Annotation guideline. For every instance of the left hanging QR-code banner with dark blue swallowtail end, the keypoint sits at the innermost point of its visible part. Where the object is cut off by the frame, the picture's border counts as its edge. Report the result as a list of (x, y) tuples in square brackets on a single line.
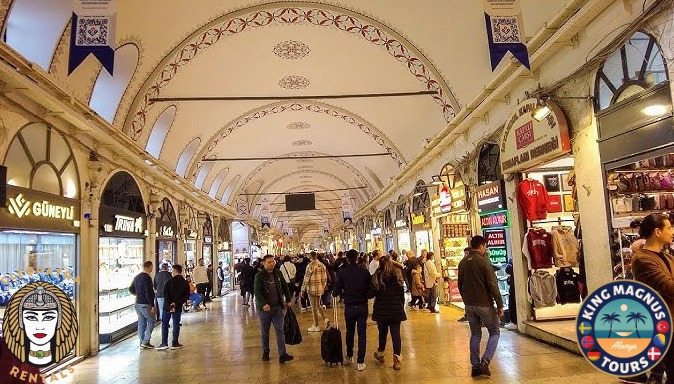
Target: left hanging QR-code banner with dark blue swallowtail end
[(93, 32)]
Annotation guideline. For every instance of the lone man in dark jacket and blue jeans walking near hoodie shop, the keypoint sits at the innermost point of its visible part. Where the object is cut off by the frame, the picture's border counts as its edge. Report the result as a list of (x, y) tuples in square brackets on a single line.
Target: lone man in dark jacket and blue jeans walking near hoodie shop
[(479, 290)]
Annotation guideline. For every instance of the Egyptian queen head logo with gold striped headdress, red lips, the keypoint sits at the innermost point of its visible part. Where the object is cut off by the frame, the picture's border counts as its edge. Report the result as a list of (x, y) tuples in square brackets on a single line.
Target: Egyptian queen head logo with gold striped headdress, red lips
[(44, 325)]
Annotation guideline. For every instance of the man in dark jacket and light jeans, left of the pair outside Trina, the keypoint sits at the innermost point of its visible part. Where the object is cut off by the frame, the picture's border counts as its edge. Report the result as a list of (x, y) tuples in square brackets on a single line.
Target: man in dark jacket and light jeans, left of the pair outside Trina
[(145, 309)]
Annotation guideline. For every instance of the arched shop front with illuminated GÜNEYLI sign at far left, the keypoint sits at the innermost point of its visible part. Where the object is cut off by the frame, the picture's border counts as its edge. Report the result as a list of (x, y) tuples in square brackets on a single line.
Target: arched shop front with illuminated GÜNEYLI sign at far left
[(40, 224)]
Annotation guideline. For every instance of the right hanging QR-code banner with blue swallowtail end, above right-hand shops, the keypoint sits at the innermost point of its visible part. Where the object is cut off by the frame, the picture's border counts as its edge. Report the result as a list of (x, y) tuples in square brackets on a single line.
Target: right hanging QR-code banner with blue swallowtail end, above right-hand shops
[(505, 31)]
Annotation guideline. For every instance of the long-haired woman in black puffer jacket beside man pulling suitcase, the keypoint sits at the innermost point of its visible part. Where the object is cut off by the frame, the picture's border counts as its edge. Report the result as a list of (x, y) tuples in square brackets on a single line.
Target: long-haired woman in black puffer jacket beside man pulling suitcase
[(389, 307)]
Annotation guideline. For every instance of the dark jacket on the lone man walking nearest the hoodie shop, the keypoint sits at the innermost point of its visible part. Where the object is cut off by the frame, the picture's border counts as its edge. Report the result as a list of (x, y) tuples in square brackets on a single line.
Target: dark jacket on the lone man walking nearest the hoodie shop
[(477, 281)]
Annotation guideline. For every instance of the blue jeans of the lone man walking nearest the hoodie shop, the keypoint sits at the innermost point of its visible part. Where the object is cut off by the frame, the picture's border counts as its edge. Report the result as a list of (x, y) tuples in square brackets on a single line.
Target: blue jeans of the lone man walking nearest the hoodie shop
[(478, 316)]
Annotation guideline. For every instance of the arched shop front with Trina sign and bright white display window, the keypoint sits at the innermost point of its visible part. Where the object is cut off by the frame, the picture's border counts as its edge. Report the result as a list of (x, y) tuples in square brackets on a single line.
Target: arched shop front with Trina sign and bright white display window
[(121, 246)]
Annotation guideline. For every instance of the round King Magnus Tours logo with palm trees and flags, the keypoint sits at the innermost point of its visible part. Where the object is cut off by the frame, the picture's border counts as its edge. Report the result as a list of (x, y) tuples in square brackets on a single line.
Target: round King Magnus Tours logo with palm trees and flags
[(624, 328)]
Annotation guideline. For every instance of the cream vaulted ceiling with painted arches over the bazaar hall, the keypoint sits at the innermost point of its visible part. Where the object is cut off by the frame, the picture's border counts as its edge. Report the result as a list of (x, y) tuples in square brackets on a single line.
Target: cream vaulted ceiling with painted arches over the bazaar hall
[(204, 48)]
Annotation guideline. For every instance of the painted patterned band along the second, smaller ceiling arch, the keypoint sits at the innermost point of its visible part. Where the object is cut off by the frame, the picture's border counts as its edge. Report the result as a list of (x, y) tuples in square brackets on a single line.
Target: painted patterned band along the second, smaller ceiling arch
[(310, 106)]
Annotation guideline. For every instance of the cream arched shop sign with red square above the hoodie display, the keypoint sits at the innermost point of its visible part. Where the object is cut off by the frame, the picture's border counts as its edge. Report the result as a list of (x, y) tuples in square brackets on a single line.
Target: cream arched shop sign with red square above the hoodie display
[(527, 143)]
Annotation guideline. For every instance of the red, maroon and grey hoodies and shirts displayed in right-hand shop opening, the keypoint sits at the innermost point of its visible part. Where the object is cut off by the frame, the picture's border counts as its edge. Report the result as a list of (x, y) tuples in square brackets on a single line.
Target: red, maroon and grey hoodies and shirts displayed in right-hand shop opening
[(551, 243)]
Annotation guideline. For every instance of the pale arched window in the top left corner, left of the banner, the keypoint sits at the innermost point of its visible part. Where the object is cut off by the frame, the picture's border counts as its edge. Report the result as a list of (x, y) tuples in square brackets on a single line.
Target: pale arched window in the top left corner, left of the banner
[(34, 28)]
